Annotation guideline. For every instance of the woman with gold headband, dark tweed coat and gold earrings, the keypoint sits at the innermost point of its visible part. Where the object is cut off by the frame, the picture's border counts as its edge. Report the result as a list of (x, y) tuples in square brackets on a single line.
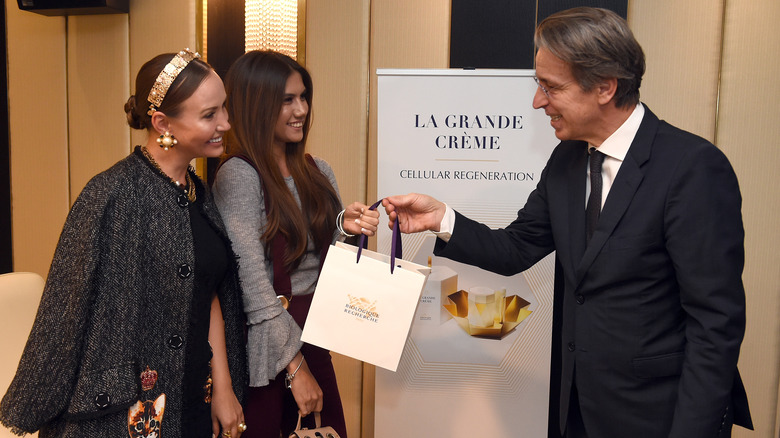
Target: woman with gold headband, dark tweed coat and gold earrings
[(140, 329)]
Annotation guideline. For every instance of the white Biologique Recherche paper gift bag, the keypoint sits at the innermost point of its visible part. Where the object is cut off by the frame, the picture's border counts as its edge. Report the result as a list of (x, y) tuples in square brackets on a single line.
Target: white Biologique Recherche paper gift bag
[(360, 308)]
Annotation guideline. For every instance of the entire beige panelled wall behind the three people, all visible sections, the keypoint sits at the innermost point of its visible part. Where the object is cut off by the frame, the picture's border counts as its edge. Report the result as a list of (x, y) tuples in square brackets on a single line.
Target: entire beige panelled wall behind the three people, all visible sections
[(711, 70)]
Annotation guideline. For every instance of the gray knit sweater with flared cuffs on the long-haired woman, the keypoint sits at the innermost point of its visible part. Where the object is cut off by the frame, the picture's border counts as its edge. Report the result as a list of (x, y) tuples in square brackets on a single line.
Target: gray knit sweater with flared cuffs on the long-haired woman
[(274, 337)]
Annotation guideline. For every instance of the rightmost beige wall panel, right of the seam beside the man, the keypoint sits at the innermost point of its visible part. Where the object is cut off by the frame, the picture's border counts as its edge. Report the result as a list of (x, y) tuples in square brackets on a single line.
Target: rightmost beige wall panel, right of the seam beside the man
[(748, 133)]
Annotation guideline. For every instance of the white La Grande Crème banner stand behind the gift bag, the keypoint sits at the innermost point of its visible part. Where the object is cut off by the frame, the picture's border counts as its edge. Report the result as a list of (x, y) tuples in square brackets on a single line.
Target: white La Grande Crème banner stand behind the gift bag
[(477, 361)]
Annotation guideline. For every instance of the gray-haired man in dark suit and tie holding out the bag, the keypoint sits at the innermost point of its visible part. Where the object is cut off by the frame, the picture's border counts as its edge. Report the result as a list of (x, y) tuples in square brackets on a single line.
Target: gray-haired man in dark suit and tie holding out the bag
[(645, 220)]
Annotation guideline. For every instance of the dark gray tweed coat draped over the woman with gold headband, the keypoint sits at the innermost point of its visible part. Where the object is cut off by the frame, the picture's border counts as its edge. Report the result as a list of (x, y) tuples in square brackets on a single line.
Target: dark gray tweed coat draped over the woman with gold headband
[(117, 299)]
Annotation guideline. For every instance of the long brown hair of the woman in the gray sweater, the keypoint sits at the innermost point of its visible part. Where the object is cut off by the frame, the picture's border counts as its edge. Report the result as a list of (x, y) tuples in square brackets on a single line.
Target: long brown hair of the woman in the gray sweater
[(255, 87)]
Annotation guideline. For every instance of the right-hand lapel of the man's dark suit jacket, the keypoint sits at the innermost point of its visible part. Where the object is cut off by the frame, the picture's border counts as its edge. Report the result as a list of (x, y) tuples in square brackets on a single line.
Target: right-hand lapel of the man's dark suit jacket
[(622, 192)]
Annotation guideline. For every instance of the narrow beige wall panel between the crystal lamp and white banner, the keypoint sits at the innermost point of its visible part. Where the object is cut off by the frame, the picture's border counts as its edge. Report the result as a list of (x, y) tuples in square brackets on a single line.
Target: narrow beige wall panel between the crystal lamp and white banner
[(337, 58)]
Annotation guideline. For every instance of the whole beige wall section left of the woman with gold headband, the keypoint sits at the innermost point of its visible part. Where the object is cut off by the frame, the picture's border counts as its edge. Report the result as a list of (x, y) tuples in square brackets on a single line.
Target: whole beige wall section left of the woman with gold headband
[(68, 79)]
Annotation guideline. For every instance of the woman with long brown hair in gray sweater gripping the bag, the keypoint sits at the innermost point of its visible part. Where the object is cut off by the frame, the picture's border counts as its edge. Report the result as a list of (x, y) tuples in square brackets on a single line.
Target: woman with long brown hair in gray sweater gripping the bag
[(282, 211)]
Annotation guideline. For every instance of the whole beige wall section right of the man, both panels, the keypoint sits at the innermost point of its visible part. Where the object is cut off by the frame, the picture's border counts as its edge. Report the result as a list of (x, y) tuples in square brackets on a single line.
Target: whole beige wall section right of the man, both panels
[(712, 70)]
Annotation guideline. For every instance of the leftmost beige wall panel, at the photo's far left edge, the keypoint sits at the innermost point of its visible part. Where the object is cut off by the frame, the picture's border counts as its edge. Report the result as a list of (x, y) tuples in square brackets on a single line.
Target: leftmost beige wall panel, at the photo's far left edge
[(37, 100)]
